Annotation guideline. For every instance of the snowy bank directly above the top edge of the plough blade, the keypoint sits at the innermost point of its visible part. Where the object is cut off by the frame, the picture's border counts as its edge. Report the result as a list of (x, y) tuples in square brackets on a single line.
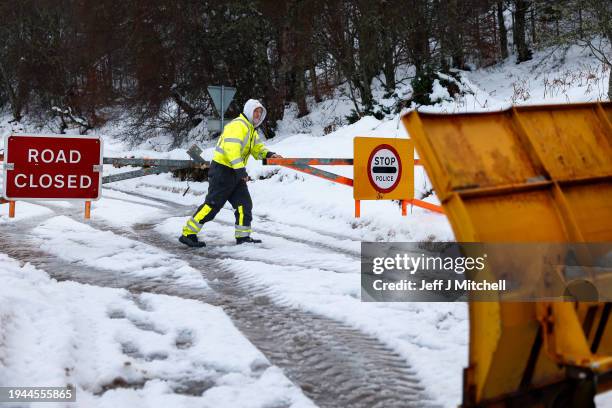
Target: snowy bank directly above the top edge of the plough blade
[(551, 77)]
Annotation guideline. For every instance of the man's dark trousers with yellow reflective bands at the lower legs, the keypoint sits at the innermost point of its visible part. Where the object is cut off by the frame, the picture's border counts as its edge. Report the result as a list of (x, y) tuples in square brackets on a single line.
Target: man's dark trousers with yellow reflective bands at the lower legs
[(223, 185)]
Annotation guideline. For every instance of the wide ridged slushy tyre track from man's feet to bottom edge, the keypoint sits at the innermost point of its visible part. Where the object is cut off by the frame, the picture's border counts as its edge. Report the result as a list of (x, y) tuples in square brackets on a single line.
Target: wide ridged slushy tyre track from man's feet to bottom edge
[(334, 364)]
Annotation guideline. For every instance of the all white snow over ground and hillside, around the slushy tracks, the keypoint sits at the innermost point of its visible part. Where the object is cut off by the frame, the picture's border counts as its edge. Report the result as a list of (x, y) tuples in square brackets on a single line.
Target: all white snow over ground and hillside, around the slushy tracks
[(122, 348)]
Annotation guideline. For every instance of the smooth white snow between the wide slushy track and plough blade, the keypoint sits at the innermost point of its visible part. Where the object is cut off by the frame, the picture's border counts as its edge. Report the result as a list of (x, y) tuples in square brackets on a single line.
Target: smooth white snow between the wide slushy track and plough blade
[(423, 333)]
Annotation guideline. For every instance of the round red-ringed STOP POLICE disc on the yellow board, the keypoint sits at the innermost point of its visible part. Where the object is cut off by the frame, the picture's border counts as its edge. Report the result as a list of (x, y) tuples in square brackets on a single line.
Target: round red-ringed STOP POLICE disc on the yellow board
[(384, 168)]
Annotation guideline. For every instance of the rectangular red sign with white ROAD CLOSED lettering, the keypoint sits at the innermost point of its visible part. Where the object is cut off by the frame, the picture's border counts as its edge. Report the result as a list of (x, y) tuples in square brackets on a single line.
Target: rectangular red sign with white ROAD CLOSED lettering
[(52, 167)]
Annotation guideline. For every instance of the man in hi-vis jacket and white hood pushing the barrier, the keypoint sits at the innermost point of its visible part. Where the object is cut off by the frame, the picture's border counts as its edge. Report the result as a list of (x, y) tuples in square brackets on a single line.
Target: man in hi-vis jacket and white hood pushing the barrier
[(227, 176)]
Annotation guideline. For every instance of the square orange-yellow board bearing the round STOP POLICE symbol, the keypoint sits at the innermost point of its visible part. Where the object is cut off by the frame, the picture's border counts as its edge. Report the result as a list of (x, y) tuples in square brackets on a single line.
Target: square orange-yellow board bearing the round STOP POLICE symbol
[(384, 169)]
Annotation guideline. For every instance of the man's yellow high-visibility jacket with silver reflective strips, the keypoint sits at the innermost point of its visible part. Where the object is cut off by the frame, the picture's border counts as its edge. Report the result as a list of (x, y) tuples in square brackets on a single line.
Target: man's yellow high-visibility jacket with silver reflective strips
[(239, 140)]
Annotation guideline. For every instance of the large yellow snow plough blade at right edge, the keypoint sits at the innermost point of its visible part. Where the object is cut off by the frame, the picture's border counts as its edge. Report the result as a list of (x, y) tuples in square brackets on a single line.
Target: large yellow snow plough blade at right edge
[(527, 174)]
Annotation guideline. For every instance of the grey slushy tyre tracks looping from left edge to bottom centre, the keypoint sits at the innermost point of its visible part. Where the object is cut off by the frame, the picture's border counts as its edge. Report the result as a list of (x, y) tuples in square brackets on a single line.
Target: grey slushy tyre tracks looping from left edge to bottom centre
[(333, 363)]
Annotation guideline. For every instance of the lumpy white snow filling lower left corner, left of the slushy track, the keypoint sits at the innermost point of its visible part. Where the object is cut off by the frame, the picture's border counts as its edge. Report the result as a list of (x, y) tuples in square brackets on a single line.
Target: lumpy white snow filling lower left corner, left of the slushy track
[(143, 350)]
